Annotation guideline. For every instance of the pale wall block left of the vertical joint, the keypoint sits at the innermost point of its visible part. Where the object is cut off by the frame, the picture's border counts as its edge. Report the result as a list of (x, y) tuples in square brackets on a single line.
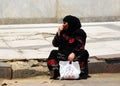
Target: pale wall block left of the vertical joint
[(27, 8)]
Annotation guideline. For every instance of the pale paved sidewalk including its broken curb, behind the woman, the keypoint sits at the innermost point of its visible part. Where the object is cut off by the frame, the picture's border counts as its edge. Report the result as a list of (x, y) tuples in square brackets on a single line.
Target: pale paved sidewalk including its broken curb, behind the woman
[(23, 45)]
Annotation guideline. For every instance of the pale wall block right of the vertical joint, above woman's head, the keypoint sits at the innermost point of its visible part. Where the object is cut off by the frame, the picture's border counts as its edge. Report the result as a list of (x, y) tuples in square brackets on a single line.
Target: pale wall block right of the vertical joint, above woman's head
[(89, 8)]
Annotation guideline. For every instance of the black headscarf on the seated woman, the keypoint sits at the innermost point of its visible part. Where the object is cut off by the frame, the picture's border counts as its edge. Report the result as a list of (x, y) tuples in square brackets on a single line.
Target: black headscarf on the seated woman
[(73, 23)]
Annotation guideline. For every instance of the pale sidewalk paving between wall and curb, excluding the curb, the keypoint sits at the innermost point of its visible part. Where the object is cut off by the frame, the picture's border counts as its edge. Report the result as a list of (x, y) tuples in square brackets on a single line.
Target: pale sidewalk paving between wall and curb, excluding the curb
[(33, 41)]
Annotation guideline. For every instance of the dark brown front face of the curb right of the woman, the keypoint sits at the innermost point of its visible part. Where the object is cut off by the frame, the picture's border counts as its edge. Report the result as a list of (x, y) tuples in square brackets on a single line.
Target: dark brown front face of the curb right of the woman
[(102, 67)]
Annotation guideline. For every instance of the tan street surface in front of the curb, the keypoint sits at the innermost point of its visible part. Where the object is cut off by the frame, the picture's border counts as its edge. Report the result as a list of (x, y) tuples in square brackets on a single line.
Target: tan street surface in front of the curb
[(94, 80)]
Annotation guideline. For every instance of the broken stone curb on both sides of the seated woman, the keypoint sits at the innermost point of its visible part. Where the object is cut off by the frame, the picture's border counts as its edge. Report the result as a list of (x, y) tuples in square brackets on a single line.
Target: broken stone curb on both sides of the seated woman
[(96, 64)]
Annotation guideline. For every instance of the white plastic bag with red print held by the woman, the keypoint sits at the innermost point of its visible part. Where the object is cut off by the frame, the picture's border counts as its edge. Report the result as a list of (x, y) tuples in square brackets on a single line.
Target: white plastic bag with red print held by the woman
[(69, 70)]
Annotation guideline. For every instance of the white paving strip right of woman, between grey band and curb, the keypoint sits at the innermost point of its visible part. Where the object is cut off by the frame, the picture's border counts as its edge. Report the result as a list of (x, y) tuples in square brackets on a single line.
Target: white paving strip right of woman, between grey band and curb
[(103, 48)]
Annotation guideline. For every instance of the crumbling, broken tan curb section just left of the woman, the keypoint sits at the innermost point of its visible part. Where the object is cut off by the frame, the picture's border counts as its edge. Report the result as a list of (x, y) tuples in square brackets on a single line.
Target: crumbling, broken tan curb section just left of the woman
[(28, 68)]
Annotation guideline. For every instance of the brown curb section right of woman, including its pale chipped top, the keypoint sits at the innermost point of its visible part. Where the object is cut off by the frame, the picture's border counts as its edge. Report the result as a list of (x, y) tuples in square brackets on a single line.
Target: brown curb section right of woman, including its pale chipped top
[(103, 66)]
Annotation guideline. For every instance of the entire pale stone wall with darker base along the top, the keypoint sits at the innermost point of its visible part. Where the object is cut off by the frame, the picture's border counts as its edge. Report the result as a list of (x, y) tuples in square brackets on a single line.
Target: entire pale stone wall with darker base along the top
[(52, 11)]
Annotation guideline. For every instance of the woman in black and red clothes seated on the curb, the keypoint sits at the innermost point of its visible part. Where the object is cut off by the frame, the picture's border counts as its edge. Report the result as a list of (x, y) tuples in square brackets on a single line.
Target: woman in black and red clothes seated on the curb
[(70, 40)]
